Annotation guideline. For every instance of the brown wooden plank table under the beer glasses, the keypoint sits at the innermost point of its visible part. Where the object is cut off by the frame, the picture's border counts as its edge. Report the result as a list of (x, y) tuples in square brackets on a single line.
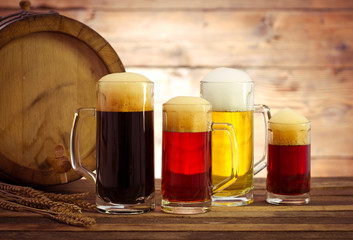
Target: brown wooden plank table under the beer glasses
[(328, 216)]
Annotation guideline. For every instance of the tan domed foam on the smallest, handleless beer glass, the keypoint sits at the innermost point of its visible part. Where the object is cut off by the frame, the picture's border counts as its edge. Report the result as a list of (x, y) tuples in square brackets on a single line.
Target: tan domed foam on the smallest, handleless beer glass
[(290, 128)]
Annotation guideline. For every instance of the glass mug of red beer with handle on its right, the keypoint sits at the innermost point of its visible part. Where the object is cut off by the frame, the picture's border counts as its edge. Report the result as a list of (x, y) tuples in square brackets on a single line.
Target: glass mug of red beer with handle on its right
[(186, 155)]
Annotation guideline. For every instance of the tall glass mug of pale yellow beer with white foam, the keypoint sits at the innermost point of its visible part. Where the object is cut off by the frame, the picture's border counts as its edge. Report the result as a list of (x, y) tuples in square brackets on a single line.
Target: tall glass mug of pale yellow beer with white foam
[(231, 93)]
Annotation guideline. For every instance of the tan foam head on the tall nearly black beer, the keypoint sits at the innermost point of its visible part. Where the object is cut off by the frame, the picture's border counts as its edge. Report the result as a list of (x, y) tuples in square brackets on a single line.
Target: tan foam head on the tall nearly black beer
[(125, 92)]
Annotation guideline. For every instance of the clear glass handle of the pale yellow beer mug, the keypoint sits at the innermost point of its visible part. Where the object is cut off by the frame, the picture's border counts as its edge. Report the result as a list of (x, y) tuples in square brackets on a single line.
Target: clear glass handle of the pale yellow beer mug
[(266, 115)]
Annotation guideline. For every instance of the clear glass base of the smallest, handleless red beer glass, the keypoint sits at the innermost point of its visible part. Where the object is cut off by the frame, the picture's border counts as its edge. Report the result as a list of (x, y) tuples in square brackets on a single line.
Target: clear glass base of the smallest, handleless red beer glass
[(278, 199)]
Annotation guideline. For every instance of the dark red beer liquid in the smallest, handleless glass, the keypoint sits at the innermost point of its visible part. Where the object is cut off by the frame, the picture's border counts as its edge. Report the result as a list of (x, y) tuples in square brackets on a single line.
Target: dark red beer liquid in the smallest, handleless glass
[(288, 170)]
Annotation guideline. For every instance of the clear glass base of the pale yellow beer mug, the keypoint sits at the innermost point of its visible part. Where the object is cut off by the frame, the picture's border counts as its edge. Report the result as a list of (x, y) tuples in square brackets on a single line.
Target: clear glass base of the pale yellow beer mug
[(231, 201)]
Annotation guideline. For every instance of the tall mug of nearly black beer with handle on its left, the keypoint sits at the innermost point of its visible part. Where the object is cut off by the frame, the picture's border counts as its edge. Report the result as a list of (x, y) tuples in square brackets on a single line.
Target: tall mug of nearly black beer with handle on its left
[(125, 144)]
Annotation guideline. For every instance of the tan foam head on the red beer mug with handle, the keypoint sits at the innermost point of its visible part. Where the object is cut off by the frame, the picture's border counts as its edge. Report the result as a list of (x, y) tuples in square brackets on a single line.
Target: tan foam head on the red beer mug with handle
[(187, 114)]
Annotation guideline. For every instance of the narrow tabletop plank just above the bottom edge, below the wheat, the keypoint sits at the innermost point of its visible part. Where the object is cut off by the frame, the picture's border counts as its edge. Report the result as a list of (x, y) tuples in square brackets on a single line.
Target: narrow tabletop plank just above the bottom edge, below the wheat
[(182, 227)]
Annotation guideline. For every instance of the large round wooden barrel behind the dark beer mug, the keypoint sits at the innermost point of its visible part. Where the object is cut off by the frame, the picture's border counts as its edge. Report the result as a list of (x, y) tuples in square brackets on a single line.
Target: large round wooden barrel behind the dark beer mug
[(49, 68)]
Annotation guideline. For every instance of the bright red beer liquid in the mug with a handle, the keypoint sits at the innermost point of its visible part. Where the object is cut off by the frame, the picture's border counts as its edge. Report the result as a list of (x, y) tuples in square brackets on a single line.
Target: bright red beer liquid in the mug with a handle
[(186, 176)]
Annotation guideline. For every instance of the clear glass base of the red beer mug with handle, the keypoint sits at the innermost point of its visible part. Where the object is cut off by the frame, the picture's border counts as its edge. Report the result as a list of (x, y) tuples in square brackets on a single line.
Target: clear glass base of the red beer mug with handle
[(185, 208)]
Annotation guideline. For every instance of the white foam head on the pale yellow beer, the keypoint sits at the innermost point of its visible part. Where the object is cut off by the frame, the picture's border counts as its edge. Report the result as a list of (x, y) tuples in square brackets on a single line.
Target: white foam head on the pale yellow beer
[(228, 89)]
